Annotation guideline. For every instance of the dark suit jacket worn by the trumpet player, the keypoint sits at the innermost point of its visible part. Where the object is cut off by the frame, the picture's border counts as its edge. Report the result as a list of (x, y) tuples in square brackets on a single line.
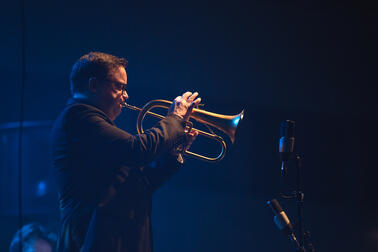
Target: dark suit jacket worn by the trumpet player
[(106, 179)]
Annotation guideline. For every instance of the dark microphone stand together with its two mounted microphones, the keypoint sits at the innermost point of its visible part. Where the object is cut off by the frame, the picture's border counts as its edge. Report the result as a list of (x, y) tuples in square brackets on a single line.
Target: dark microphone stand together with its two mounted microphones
[(286, 151)]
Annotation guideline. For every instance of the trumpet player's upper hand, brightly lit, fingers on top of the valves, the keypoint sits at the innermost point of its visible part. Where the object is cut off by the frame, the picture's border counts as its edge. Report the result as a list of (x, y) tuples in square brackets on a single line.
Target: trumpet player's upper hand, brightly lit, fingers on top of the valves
[(183, 105)]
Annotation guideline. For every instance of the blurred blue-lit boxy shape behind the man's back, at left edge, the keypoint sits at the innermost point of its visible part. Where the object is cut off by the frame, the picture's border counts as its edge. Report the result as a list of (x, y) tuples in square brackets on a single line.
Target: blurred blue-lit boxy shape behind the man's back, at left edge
[(39, 193)]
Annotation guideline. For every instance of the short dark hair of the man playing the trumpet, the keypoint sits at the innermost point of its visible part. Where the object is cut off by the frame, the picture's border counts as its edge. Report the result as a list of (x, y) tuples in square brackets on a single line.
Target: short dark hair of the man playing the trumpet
[(93, 64)]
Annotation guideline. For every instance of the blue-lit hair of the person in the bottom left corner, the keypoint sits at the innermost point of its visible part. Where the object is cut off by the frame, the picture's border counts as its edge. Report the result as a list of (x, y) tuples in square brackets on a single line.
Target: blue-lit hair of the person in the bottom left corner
[(31, 232)]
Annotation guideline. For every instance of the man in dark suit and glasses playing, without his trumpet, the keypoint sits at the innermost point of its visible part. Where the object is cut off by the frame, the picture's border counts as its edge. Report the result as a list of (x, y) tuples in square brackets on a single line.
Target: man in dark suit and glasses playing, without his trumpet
[(105, 176)]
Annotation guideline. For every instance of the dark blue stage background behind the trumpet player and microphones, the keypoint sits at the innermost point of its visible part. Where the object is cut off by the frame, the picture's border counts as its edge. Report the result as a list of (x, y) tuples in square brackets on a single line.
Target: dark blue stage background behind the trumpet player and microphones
[(309, 61)]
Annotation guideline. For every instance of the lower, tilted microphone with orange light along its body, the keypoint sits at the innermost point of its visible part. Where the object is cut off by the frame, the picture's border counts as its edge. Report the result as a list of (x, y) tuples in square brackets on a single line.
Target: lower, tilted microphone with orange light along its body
[(283, 222)]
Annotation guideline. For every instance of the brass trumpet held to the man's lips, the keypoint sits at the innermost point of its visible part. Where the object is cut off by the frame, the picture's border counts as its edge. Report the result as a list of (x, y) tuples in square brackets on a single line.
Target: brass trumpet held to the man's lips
[(225, 123)]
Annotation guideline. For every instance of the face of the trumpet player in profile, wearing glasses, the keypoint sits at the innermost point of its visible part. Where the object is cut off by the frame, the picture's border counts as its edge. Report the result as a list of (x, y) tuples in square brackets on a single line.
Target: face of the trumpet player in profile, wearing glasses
[(112, 93)]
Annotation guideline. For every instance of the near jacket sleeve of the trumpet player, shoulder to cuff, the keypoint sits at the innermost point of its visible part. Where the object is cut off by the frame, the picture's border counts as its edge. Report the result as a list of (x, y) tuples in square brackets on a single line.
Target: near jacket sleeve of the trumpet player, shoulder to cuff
[(92, 130)]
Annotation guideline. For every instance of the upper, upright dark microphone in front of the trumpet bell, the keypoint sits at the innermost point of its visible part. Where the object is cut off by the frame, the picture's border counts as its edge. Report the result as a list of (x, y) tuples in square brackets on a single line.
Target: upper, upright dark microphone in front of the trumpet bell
[(286, 146)]
